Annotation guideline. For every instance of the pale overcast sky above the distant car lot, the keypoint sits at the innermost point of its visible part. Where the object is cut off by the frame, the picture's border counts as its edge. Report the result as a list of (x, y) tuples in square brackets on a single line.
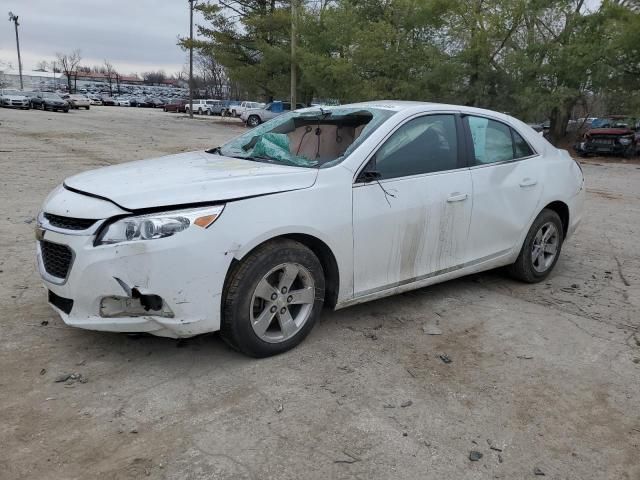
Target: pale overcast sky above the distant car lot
[(134, 35)]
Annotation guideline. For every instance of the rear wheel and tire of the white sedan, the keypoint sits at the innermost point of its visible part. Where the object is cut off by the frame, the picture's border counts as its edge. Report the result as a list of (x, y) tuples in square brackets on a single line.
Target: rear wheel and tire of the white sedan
[(532, 270)]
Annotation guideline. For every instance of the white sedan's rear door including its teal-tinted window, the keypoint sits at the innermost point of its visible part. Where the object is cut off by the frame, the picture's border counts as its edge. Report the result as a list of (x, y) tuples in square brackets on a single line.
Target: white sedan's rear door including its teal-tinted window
[(507, 188)]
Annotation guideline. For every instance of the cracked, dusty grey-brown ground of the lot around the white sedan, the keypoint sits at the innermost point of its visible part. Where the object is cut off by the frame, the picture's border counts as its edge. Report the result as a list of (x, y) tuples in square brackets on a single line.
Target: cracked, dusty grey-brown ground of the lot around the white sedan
[(542, 376)]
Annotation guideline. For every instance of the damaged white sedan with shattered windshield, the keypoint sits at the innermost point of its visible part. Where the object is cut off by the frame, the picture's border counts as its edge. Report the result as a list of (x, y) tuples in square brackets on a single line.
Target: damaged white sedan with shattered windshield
[(333, 206)]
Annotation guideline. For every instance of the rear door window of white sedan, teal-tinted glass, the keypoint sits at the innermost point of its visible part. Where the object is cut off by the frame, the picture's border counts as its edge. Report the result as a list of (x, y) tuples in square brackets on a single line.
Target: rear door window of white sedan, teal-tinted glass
[(491, 140)]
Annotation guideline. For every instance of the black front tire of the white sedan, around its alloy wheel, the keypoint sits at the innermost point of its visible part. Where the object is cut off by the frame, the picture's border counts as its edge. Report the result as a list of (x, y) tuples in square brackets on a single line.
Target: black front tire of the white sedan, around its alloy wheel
[(242, 302)]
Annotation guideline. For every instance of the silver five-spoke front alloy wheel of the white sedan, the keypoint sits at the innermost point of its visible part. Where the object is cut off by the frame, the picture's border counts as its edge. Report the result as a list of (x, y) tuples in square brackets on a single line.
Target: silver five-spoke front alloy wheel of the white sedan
[(282, 302)]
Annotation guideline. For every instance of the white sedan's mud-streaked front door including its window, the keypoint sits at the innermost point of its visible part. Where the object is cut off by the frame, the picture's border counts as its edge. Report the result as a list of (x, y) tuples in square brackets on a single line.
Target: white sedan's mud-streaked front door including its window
[(412, 206)]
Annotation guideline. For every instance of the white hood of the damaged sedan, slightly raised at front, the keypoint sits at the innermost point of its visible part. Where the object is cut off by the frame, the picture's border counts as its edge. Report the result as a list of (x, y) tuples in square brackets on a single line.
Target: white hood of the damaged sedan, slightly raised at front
[(188, 178)]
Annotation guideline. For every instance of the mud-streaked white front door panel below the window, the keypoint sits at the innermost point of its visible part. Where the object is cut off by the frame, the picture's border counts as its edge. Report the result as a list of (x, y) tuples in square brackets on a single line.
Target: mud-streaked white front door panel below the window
[(417, 228)]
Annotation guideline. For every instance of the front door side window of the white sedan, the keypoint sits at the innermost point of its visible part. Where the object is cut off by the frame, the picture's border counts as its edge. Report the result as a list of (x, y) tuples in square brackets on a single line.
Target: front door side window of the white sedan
[(422, 145)]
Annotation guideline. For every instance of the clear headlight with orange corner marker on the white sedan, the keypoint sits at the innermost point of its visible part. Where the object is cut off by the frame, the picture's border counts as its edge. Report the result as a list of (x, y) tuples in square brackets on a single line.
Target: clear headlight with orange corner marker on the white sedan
[(157, 225)]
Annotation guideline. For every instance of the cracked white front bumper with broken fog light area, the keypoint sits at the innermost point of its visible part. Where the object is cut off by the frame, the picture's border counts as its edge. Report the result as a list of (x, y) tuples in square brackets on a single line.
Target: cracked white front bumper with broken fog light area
[(183, 270)]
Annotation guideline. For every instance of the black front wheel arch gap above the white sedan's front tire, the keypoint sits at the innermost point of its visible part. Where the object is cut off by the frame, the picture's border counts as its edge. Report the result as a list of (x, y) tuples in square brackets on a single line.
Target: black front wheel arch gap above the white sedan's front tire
[(318, 247)]
